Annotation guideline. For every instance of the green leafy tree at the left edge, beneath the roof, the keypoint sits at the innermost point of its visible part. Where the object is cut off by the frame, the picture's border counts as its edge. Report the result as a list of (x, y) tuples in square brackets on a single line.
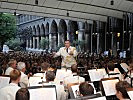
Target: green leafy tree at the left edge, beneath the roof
[(7, 27)]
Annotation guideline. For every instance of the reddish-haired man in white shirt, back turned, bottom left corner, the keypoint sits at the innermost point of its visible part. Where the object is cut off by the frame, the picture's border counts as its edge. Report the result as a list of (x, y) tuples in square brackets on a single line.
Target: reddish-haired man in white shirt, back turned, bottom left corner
[(9, 92)]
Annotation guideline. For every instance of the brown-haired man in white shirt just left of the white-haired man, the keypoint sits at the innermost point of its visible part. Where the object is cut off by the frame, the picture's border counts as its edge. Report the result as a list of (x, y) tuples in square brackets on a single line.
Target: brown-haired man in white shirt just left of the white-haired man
[(12, 65)]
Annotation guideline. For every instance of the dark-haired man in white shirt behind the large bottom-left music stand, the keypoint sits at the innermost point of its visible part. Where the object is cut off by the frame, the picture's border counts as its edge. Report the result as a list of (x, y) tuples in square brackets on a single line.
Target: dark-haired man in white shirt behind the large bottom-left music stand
[(61, 94)]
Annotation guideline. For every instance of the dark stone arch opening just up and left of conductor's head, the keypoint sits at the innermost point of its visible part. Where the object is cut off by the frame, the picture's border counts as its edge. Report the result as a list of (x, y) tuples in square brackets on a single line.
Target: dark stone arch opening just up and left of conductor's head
[(62, 32)]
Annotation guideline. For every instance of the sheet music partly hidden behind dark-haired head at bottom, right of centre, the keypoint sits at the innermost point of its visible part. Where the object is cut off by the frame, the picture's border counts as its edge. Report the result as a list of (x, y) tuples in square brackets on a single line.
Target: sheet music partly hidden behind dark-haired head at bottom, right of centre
[(75, 89)]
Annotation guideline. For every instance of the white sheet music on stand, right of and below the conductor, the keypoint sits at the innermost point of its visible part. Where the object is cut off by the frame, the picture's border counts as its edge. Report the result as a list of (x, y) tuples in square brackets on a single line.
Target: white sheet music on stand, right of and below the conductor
[(96, 75)]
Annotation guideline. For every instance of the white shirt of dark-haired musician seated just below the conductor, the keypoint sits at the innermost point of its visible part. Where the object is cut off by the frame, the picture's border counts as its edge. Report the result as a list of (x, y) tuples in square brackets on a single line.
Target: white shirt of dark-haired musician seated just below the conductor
[(74, 78)]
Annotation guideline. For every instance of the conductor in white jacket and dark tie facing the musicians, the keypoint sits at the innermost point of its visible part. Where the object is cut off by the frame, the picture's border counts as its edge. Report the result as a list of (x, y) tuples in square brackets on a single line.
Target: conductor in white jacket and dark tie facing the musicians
[(68, 54)]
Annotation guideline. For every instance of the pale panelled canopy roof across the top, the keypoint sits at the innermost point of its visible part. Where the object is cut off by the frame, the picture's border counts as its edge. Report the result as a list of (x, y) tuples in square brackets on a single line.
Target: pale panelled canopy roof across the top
[(79, 10)]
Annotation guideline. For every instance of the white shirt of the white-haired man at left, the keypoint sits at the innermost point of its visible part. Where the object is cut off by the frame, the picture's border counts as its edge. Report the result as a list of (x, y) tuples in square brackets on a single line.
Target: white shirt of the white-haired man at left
[(24, 80)]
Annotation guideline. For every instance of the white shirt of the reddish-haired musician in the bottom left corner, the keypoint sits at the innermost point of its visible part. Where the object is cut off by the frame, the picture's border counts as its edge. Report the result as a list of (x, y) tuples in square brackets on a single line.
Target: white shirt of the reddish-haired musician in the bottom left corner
[(9, 92)]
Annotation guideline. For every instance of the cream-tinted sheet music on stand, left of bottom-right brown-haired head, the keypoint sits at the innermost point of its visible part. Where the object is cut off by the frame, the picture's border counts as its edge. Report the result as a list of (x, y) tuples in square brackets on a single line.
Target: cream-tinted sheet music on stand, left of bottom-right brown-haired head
[(109, 87)]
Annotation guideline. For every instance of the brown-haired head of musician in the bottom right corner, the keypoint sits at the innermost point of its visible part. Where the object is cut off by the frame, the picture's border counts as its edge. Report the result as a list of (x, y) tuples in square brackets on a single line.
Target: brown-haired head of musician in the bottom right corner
[(121, 92)]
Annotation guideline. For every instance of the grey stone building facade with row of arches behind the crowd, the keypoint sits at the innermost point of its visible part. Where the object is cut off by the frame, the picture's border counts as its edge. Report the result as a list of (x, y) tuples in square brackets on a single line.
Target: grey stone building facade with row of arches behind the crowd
[(92, 36)]
